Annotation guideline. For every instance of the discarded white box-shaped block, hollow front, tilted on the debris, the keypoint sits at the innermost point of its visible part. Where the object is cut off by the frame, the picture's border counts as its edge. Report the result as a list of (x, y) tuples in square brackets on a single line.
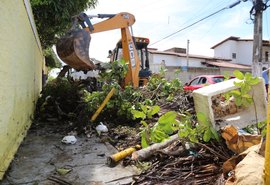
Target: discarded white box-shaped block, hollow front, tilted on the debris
[(255, 112)]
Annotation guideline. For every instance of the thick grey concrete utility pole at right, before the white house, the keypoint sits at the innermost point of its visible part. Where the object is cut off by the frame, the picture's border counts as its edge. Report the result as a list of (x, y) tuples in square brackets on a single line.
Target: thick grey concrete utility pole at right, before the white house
[(257, 38)]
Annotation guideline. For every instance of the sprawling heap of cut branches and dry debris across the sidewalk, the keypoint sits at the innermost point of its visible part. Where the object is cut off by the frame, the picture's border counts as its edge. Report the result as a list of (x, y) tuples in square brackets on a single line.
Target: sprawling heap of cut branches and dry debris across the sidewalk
[(178, 161)]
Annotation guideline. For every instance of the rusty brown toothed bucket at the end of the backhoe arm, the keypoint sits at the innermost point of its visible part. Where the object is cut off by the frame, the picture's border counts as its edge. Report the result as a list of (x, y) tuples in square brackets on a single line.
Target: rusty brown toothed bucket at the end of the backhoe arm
[(73, 49)]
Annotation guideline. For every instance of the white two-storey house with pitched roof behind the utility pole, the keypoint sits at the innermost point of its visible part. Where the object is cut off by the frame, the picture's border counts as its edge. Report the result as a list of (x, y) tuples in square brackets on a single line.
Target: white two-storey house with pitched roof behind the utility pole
[(240, 51)]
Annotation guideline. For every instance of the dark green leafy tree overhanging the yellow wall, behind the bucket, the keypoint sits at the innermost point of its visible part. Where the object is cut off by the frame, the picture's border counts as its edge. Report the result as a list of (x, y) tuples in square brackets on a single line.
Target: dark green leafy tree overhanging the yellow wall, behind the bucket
[(53, 19)]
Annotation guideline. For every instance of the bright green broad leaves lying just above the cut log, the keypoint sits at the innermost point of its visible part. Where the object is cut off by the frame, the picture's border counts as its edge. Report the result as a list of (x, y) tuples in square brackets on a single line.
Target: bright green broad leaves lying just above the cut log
[(167, 124)]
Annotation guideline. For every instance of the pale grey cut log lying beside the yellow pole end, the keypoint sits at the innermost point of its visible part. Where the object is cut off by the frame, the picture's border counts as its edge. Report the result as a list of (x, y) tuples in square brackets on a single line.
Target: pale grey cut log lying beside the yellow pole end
[(147, 152)]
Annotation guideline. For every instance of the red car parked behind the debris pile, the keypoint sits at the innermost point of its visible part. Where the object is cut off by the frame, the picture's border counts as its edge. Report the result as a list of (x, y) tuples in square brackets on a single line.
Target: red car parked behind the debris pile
[(203, 80)]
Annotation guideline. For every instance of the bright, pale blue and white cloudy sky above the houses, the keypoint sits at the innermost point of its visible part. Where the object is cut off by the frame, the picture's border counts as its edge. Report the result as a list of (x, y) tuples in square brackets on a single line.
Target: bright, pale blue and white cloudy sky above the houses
[(157, 19)]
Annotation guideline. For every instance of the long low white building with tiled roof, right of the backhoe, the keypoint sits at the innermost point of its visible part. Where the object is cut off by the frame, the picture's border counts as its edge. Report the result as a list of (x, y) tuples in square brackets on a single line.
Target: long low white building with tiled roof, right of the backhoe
[(190, 65)]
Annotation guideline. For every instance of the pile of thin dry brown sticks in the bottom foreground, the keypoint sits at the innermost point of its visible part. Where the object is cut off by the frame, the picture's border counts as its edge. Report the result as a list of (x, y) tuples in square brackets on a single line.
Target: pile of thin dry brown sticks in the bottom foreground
[(200, 164)]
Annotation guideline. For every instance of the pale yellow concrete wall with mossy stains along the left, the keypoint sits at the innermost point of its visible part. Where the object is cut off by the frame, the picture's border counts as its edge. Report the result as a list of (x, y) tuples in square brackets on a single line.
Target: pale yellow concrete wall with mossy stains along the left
[(20, 73)]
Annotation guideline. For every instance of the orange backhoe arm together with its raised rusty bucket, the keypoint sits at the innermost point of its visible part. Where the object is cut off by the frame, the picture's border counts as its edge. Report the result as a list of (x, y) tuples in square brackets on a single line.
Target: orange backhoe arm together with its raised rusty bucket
[(73, 48)]
